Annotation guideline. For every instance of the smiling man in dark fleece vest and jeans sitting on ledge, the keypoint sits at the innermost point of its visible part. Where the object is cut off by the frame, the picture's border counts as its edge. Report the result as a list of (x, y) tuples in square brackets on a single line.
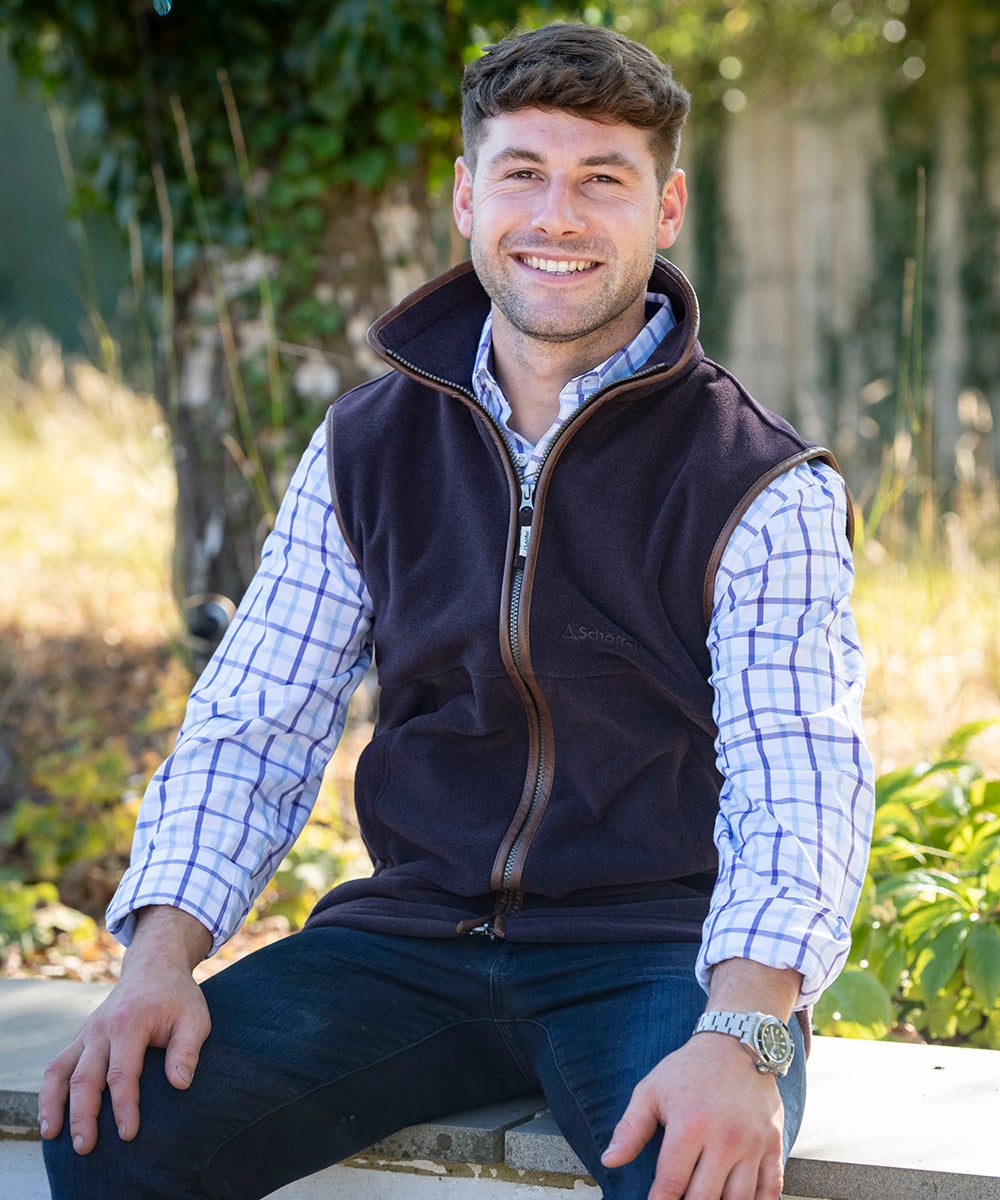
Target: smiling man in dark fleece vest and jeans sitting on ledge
[(609, 596)]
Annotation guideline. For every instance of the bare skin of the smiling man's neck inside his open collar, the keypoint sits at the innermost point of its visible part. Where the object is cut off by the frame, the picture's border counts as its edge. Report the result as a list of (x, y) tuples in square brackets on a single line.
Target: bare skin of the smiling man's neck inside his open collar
[(532, 373)]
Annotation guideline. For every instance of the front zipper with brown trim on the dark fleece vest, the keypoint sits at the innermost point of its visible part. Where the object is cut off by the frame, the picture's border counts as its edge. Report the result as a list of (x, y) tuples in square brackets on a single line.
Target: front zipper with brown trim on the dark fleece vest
[(510, 901)]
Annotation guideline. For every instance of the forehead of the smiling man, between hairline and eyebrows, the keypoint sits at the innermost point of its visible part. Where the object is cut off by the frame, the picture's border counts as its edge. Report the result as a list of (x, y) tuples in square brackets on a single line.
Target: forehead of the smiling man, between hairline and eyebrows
[(560, 137)]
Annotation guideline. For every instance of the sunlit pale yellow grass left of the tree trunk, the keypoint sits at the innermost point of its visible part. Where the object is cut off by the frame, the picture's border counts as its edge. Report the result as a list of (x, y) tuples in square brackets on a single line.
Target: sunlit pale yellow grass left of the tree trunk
[(87, 495)]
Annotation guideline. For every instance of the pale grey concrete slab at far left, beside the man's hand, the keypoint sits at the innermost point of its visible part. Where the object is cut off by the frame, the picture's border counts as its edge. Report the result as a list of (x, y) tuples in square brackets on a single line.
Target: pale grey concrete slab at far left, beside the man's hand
[(40, 1018)]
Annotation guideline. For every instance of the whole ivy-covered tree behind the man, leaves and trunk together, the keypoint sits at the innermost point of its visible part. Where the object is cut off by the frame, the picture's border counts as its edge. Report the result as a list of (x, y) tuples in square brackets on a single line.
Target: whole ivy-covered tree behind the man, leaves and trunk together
[(225, 135)]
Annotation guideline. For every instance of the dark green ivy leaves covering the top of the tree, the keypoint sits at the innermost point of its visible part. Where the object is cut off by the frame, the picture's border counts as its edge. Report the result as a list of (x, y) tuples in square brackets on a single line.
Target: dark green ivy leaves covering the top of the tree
[(331, 98)]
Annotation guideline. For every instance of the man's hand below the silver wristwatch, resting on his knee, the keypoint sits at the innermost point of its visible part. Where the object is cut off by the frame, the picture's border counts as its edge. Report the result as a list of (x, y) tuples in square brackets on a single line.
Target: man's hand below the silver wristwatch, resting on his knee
[(722, 1124)]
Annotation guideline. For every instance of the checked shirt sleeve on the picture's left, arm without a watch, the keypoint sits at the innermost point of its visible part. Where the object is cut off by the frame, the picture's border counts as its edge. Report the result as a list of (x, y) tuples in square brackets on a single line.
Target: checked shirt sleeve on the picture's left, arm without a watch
[(261, 724)]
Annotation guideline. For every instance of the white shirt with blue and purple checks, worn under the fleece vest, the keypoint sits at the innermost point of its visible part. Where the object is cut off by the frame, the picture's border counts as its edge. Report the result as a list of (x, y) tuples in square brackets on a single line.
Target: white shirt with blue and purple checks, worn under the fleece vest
[(798, 802)]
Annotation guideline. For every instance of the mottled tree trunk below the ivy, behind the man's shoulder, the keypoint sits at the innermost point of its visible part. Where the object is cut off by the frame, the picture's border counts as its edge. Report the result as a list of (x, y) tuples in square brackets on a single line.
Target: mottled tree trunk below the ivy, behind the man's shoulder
[(374, 250)]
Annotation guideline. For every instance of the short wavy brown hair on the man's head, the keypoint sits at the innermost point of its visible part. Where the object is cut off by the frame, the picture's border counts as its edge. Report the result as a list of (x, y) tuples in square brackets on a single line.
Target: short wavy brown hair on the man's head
[(585, 70)]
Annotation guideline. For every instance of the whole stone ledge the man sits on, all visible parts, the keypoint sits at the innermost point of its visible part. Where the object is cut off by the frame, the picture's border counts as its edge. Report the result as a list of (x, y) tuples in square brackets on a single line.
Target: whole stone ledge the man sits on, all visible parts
[(884, 1121)]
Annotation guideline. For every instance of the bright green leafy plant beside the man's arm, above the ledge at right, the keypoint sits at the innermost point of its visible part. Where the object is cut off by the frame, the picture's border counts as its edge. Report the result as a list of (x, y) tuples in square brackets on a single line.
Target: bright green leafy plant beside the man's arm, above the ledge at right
[(927, 933)]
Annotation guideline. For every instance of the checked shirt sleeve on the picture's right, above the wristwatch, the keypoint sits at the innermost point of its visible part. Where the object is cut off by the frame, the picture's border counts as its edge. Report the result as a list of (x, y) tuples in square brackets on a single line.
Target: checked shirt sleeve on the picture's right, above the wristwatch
[(798, 800)]
